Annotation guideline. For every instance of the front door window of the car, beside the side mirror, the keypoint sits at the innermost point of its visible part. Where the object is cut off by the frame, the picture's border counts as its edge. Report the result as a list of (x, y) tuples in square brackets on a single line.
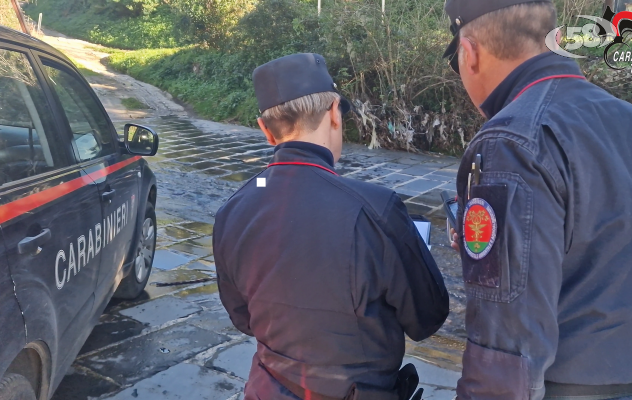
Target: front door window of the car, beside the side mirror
[(92, 137)]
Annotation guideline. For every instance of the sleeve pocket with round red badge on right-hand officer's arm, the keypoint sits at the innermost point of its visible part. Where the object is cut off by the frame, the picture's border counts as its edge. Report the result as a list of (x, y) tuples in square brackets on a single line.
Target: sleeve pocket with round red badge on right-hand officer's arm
[(496, 227)]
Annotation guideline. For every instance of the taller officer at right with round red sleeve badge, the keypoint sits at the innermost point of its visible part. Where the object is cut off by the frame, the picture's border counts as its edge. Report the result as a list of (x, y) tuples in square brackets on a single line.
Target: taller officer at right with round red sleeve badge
[(545, 214)]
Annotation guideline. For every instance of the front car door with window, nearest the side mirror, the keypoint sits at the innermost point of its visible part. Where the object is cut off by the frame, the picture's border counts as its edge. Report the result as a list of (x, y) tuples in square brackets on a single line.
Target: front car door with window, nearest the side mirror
[(97, 150)]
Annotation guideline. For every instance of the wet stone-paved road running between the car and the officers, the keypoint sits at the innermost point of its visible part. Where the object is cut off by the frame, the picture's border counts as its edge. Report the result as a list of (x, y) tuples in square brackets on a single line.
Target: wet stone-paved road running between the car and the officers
[(176, 341)]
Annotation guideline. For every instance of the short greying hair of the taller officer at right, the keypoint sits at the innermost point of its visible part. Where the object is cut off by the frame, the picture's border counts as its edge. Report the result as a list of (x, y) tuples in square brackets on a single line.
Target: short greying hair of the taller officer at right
[(511, 32)]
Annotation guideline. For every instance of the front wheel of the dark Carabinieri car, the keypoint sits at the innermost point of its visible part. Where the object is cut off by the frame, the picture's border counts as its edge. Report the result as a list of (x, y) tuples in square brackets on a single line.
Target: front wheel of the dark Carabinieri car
[(143, 257)]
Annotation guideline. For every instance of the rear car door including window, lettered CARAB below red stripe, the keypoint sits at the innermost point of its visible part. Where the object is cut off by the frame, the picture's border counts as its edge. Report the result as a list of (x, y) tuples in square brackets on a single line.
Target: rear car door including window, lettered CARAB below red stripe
[(50, 213)]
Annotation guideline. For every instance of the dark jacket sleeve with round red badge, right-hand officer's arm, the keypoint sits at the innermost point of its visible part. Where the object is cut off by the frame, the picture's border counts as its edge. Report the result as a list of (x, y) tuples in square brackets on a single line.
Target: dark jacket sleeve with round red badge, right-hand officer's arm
[(513, 280)]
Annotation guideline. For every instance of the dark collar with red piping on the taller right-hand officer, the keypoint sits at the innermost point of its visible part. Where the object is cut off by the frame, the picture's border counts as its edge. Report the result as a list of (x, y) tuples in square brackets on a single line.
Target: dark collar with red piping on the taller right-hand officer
[(540, 66)]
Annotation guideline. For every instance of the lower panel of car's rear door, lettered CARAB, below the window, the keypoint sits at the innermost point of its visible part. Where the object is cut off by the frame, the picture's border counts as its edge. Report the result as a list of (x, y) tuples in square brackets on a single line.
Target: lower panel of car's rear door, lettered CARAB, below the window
[(55, 288)]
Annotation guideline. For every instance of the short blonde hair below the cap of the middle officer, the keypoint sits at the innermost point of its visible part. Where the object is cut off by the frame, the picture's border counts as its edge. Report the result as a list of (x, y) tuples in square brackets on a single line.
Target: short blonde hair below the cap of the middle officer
[(304, 113)]
